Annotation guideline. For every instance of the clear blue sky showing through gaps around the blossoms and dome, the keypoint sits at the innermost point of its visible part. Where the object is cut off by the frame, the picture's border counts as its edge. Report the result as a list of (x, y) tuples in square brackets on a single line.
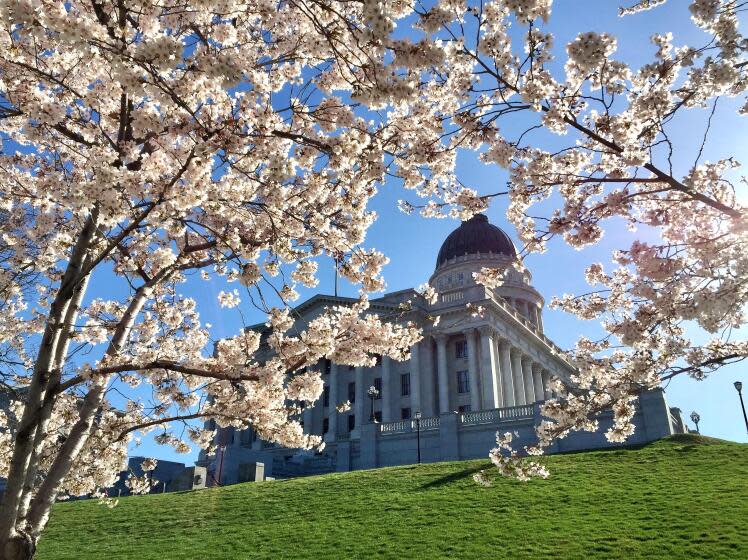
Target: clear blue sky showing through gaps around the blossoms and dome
[(412, 242)]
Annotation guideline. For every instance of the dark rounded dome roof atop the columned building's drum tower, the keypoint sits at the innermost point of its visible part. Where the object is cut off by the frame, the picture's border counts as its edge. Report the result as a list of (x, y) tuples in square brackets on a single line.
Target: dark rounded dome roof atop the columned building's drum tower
[(475, 236)]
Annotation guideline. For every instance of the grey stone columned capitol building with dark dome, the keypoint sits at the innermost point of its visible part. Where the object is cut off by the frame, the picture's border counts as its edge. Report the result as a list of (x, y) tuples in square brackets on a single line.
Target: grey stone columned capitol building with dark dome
[(469, 377)]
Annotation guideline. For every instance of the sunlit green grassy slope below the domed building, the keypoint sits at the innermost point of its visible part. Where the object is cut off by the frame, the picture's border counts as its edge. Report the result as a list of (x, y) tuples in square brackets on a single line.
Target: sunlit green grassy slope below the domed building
[(684, 497)]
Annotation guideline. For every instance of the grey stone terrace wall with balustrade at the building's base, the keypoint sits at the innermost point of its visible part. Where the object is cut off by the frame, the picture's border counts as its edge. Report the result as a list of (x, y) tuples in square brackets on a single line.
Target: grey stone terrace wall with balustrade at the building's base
[(448, 437)]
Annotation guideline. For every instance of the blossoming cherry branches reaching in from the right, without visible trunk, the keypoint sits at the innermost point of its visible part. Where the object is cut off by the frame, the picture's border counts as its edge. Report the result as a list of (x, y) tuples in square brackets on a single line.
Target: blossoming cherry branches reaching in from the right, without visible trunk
[(596, 143)]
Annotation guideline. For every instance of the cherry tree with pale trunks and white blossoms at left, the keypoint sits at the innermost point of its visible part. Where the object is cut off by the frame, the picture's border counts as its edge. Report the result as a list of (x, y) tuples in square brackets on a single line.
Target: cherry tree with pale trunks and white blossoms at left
[(149, 143)]
